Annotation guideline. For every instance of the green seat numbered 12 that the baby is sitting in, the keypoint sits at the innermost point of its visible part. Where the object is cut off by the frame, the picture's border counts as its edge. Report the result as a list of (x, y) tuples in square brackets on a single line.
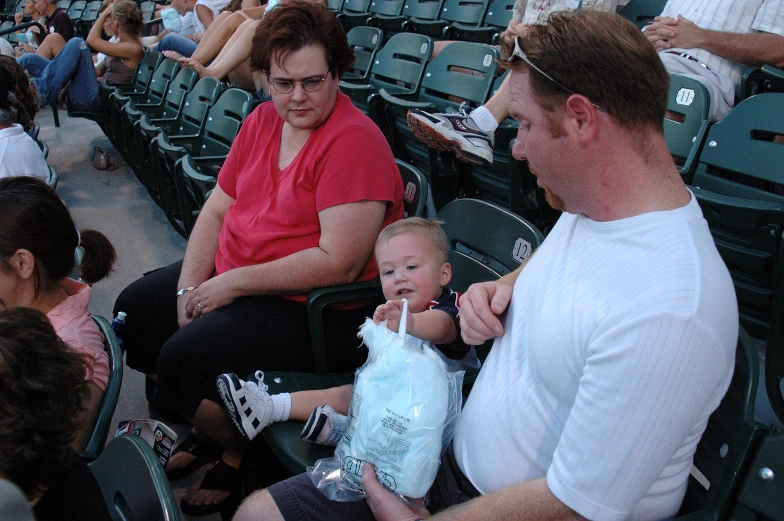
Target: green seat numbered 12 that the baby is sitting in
[(471, 249)]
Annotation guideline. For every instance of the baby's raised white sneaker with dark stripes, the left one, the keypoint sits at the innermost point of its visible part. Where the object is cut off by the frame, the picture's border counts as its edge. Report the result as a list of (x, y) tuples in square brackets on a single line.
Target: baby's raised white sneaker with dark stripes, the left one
[(248, 403)]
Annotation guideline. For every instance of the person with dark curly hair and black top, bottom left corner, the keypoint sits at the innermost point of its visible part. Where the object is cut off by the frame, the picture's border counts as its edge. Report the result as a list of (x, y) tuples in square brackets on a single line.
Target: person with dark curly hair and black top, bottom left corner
[(42, 396)]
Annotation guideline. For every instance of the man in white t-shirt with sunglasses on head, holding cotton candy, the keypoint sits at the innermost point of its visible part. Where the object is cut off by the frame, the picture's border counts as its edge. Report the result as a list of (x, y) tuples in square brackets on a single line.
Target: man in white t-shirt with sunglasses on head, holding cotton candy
[(615, 341)]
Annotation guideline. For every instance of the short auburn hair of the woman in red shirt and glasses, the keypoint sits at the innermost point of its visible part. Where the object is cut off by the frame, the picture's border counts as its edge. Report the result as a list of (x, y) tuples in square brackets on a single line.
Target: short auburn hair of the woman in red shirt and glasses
[(295, 25)]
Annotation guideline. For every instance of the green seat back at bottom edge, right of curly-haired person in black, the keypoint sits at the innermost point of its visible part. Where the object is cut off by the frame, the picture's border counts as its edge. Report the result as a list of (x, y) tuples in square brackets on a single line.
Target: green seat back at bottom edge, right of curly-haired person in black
[(133, 482)]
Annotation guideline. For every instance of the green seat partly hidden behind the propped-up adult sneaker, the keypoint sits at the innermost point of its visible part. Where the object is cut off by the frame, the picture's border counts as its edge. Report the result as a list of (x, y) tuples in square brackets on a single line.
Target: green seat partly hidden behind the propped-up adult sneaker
[(442, 84)]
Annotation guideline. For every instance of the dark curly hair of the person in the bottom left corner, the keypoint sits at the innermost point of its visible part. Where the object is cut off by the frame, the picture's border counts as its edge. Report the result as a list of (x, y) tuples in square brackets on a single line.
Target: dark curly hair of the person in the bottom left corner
[(42, 394)]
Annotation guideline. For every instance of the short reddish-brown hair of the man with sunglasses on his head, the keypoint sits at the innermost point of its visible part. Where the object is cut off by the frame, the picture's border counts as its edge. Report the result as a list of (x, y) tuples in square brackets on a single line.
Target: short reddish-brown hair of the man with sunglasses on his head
[(602, 56)]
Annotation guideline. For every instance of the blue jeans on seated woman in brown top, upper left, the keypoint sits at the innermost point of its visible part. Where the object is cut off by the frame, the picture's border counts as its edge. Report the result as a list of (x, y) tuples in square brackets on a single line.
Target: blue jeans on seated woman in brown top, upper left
[(74, 64)]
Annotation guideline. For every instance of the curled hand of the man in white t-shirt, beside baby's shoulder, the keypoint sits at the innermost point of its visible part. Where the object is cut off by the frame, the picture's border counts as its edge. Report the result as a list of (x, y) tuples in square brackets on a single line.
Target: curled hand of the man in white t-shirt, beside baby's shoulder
[(479, 310)]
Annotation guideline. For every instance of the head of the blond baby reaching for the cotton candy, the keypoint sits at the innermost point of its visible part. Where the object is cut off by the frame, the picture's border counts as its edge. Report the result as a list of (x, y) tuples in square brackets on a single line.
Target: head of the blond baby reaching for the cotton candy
[(412, 260)]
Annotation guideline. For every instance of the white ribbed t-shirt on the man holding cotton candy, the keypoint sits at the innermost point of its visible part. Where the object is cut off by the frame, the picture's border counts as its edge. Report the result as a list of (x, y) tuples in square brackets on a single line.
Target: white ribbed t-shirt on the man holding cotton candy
[(619, 343)]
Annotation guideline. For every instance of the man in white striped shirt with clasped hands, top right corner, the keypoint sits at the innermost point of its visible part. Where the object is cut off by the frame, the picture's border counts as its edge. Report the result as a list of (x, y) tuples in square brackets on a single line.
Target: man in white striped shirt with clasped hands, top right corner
[(713, 42)]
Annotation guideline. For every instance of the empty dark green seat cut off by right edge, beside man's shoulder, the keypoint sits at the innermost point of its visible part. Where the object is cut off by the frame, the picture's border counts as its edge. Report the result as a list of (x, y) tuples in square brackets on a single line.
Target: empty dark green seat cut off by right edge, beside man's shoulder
[(739, 189)]
